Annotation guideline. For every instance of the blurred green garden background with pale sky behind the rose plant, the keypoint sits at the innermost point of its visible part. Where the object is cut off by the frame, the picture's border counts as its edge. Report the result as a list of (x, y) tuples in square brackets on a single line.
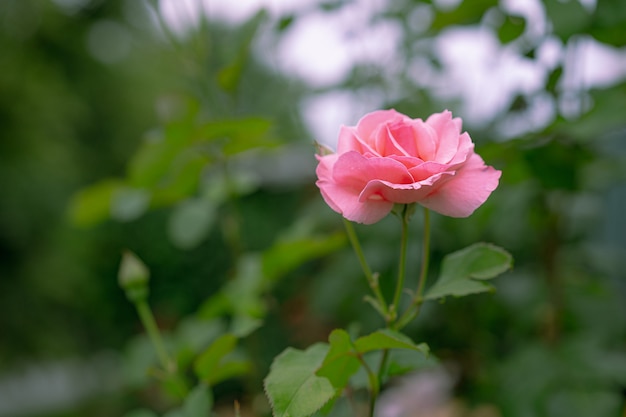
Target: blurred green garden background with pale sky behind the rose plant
[(183, 130)]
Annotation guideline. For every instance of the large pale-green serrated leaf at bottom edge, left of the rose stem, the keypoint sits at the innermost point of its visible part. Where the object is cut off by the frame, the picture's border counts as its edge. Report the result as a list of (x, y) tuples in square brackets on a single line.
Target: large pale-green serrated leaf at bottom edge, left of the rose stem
[(293, 388)]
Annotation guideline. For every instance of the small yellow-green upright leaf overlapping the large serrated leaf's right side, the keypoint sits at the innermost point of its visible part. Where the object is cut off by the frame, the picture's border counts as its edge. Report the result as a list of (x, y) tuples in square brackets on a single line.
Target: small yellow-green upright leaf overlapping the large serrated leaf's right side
[(341, 361)]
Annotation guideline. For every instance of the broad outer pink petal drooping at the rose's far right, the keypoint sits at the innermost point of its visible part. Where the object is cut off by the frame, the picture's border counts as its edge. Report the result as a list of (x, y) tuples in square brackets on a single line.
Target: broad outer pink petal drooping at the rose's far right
[(466, 191)]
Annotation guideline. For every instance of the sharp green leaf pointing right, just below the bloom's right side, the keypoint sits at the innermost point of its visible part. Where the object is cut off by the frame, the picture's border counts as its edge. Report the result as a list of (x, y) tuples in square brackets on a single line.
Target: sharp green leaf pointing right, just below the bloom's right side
[(462, 272)]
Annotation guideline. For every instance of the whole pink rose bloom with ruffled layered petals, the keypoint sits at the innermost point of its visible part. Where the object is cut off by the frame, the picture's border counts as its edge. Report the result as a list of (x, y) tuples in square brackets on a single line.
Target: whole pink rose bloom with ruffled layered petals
[(389, 158)]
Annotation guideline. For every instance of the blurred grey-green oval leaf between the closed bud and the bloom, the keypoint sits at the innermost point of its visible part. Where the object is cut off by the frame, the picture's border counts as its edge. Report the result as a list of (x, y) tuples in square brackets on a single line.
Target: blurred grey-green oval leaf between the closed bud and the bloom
[(191, 222)]
